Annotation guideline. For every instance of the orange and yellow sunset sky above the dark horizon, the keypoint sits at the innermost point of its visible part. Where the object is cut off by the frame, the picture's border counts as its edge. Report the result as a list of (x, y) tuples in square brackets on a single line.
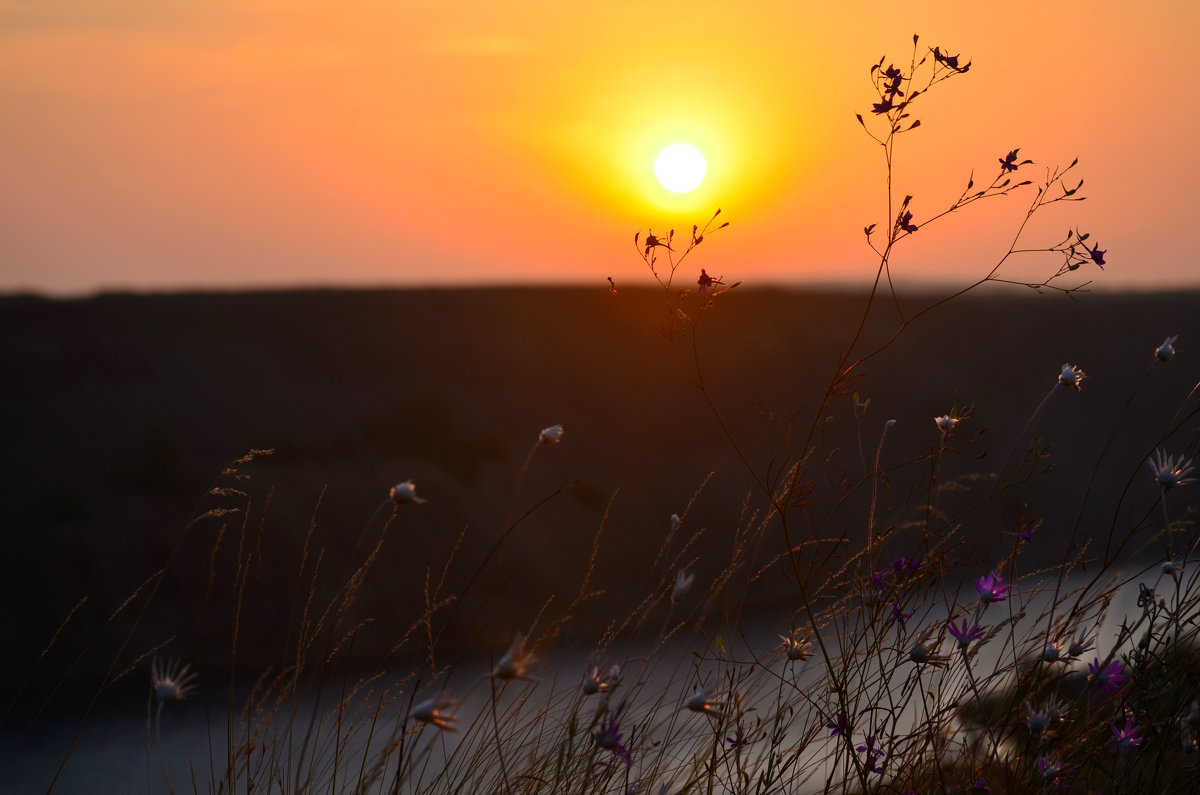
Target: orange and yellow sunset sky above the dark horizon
[(229, 144)]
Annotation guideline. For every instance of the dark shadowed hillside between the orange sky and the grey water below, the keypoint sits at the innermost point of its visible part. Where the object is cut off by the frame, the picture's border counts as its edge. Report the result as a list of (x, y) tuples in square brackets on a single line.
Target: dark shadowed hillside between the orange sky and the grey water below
[(121, 410)]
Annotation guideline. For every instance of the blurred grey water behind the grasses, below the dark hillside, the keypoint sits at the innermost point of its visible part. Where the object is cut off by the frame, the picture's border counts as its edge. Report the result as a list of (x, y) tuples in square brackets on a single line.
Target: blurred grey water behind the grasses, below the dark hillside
[(118, 752)]
